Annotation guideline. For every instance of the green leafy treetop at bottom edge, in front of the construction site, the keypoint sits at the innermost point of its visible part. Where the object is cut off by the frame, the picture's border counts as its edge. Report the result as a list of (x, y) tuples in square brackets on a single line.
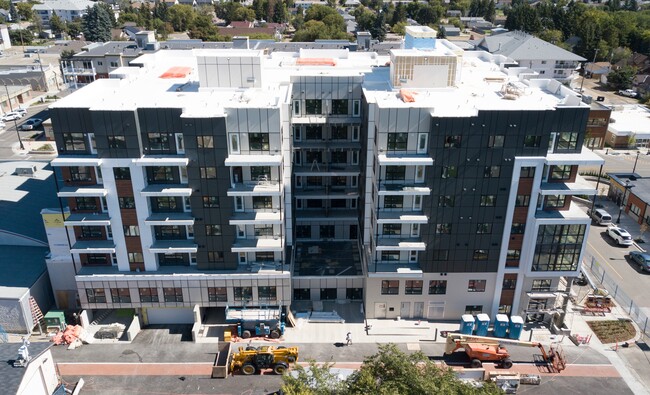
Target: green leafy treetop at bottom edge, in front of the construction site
[(389, 371)]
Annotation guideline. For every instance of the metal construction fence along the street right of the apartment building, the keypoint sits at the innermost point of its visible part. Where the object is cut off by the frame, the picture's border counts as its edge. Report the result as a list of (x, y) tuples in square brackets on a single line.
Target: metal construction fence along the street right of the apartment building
[(603, 280)]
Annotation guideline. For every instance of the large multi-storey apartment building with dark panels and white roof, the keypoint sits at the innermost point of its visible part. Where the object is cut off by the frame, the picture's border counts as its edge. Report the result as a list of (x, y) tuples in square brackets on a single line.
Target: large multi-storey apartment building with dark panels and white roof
[(429, 183)]
